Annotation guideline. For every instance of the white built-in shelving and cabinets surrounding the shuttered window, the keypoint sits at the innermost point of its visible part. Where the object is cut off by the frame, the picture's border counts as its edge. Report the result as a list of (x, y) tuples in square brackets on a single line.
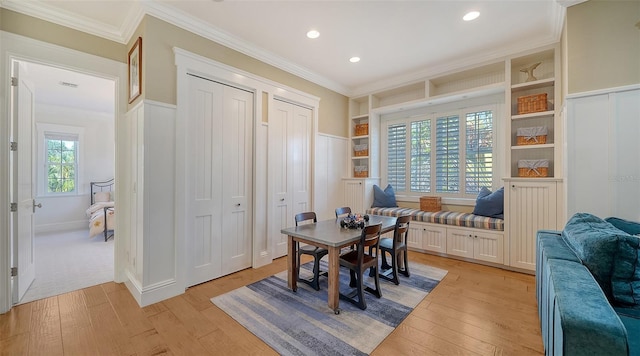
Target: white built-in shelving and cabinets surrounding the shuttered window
[(528, 201)]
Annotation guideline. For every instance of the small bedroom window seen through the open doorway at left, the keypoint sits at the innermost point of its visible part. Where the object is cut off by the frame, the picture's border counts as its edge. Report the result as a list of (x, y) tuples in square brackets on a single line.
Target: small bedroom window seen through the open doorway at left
[(61, 164)]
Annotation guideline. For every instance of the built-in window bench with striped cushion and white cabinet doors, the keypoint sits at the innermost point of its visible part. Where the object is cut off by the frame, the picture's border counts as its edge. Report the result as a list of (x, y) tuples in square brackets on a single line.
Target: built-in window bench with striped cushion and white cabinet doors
[(453, 234)]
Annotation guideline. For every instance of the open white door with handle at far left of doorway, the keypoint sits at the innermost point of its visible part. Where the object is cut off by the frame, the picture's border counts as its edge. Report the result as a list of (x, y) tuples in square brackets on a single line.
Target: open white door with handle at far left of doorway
[(23, 187)]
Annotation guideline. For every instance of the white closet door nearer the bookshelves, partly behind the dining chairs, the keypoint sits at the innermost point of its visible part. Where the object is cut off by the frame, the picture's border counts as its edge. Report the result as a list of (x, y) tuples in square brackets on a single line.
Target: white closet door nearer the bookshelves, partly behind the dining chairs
[(290, 130)]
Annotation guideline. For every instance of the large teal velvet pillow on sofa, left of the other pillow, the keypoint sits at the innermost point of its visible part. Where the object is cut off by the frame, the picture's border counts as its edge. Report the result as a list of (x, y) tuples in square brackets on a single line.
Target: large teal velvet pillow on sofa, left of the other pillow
[(595, 242)]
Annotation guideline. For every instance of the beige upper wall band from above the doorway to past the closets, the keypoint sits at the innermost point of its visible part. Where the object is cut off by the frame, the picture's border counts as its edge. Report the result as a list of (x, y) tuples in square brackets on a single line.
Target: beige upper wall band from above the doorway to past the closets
[(159, 70)]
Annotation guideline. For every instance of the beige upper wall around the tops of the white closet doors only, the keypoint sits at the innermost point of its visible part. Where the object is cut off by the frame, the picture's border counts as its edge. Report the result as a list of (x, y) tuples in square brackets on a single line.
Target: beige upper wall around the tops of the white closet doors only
[(159, 71)]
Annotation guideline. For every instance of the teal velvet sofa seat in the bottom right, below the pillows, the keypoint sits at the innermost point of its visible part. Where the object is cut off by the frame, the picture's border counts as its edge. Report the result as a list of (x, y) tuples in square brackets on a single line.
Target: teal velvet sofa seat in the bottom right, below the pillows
[(588, 324)]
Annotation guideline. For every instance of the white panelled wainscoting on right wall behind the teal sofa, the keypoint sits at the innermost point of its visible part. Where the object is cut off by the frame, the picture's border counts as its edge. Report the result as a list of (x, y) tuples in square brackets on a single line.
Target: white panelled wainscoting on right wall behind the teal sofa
[(603, 145)]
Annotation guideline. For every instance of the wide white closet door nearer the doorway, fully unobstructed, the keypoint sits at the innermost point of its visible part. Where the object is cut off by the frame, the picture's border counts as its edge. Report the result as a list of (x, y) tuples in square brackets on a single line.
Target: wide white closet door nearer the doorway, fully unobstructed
[(219, 179)]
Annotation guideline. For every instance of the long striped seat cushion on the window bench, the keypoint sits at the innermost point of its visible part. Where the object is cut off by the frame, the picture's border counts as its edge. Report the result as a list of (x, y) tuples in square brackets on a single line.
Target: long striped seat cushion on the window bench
[(443, 217)]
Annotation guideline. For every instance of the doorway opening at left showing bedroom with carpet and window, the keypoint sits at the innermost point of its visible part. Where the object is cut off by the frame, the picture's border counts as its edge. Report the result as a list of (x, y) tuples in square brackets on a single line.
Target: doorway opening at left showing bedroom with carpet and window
[(72, 143)]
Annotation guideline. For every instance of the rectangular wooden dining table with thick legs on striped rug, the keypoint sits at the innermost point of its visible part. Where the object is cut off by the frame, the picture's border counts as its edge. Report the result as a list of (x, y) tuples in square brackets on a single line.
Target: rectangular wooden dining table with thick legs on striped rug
[(330, 235)]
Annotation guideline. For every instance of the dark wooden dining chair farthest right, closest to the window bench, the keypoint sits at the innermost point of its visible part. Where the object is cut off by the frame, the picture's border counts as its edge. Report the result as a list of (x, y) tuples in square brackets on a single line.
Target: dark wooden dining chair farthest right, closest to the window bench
[(395, 246)]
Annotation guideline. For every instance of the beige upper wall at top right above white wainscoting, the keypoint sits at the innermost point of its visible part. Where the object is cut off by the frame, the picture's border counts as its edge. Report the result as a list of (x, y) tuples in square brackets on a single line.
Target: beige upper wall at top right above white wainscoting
[(603, 45)]
